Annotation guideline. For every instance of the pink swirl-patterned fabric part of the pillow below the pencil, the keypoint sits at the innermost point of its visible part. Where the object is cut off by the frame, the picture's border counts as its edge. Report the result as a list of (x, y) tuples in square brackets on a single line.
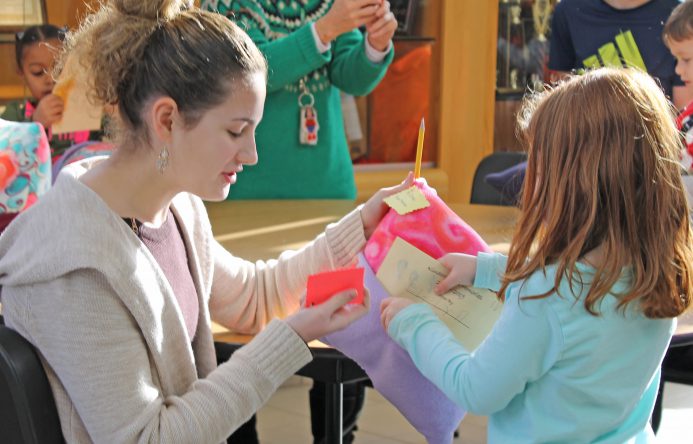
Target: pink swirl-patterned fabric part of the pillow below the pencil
[(435, 230)]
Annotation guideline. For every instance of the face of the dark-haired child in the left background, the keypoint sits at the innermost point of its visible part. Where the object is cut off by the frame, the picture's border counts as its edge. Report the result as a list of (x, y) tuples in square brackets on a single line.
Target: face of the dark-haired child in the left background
[(38, 60)]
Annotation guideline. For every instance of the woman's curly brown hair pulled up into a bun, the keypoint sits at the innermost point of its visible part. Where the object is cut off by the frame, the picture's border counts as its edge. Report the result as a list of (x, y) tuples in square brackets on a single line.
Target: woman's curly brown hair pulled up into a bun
[(137, 50)]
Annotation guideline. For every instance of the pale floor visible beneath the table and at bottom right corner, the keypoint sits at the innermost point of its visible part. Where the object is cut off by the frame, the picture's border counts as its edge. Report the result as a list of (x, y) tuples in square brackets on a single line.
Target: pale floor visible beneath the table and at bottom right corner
[(286, 419)]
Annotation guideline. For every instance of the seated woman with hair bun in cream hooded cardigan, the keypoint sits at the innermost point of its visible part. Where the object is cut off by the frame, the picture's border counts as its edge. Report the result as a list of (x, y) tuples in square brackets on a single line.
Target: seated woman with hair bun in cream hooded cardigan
[(119, 301)]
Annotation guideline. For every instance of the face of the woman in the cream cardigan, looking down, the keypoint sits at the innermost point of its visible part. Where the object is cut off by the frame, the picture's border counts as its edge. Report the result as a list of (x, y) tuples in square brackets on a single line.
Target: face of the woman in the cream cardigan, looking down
[(205, 159)]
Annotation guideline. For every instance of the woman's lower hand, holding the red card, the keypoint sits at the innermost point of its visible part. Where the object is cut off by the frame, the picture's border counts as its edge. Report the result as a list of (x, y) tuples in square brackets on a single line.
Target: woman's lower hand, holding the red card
[(332, 315)]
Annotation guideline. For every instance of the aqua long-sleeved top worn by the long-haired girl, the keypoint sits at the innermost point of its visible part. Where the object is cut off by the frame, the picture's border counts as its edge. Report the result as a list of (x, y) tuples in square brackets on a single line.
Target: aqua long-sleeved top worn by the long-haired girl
[(549, 371)]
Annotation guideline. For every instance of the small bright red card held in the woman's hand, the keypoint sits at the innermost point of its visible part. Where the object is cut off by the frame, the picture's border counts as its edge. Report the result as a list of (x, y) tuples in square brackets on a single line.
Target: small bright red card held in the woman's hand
[(323, 286)]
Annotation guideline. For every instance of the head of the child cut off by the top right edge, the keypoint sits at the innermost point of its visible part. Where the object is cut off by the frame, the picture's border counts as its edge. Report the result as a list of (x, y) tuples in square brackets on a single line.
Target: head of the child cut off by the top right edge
[(678, 36)]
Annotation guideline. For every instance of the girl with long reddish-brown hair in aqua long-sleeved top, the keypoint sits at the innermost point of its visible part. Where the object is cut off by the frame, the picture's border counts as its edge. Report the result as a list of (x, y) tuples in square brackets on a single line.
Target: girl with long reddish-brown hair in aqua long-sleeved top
[(599, 267)]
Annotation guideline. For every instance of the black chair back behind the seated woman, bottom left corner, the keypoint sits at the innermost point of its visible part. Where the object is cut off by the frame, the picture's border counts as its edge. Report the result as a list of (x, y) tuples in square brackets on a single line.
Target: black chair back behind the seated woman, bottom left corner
[(27, 409)]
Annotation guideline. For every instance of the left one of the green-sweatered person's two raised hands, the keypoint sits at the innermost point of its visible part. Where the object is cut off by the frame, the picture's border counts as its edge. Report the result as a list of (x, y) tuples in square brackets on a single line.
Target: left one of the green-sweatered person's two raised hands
[(343, 16)]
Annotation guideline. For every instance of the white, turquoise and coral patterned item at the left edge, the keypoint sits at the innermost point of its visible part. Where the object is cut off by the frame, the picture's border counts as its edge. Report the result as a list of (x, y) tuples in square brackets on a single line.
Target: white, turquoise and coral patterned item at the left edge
[(25, 167)]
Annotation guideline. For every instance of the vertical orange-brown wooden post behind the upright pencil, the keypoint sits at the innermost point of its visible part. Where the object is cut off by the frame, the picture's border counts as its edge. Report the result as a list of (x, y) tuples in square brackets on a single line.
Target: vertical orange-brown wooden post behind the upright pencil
[(469, 32)]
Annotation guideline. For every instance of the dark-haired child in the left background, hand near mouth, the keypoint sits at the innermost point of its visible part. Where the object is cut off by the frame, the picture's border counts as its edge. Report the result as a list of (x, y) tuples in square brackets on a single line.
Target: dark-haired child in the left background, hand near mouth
[(36, 50)]
